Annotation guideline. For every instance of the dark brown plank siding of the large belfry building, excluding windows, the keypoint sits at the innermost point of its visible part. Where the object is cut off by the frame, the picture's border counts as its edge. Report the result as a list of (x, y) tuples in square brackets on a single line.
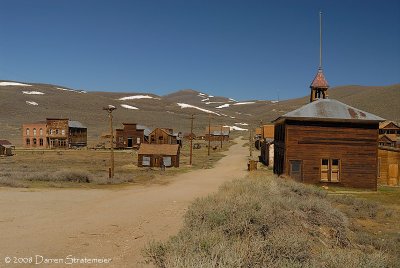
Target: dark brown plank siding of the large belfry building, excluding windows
[(355, 145)]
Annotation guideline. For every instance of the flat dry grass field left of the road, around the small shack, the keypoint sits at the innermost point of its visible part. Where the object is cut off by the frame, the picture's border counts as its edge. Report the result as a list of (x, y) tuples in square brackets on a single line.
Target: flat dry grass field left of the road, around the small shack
[(80, 168)]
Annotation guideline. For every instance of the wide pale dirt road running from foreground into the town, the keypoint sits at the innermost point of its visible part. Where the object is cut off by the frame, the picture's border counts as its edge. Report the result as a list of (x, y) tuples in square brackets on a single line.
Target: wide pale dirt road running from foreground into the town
[(114, 224)]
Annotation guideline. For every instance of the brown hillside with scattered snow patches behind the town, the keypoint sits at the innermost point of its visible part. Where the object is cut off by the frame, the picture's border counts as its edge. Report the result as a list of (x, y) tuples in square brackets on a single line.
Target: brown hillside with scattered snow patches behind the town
[(29, 102)]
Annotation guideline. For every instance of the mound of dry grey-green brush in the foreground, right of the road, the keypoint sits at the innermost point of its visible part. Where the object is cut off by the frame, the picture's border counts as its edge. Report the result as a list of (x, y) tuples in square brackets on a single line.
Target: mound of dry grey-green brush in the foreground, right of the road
[(263, 221)]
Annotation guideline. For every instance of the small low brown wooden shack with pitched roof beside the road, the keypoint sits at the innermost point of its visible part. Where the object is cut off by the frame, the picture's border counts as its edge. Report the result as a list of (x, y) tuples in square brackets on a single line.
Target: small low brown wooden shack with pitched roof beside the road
[(158, 155)]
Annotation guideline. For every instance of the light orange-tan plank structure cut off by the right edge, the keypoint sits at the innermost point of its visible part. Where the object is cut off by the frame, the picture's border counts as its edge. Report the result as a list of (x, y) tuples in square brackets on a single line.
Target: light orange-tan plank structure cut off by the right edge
[(389, 166)]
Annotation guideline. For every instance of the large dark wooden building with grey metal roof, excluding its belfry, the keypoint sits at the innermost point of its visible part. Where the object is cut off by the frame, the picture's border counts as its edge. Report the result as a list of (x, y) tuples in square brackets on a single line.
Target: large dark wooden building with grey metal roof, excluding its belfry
[(327, 141)]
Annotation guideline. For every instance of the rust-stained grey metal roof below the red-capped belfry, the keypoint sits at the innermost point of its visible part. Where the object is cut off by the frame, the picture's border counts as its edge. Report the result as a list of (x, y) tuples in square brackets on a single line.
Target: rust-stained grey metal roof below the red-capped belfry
[(330, 110)]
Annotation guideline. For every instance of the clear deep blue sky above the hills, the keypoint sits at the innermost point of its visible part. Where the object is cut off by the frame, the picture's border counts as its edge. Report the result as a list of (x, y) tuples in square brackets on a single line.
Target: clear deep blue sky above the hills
[(236, 48)]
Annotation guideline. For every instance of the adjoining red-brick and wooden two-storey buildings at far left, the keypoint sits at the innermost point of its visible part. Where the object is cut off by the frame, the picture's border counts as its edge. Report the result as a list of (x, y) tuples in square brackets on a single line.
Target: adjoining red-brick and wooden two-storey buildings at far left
[(54, 133)]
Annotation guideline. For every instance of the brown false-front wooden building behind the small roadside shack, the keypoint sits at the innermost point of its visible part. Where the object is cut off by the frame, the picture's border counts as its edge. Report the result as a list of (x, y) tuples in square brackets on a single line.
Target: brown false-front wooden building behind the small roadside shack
[(131, 136)]
